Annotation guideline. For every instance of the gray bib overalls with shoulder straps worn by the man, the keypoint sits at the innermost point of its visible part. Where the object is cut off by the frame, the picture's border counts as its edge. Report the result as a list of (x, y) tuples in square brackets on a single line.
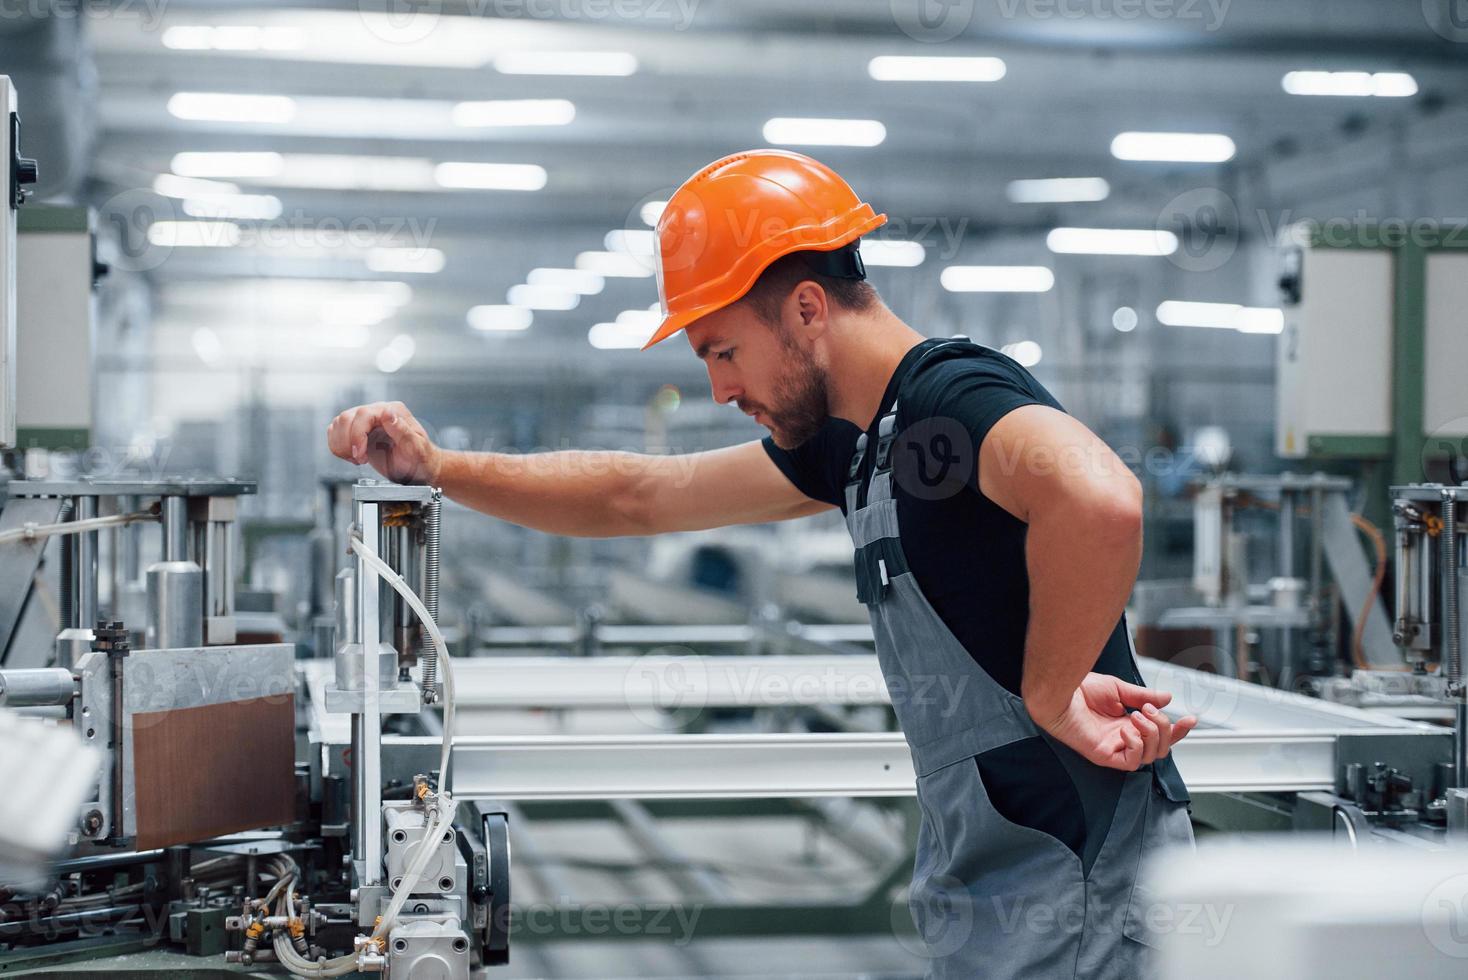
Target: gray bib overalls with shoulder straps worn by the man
[(990, 897)]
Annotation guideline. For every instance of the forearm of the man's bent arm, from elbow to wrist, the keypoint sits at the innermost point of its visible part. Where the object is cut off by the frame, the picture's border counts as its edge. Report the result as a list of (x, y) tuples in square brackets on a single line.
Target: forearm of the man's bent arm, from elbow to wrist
[(1083, 563)]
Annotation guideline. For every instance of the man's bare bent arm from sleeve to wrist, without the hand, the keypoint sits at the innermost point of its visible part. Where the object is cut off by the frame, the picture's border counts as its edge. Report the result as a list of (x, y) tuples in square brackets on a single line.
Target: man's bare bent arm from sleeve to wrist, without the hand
[(1084, 545)]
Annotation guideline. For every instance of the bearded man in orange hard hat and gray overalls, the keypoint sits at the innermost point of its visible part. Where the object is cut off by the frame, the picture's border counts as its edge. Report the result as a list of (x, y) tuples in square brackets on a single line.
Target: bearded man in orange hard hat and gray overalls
[(998, 541)]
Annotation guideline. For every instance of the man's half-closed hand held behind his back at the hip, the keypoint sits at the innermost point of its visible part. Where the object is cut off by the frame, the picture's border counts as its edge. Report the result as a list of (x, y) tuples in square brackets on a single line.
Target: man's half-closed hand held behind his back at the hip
[(1100, 728)]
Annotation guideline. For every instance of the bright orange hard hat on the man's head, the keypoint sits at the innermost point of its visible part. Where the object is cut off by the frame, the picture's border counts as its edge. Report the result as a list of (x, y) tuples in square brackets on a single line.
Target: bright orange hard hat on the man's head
[(736, 216)]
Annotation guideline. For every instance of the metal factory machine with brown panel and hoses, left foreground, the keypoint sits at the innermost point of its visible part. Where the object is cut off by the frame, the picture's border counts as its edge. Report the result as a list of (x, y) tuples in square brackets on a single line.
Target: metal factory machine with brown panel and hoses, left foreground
[(212, 825)]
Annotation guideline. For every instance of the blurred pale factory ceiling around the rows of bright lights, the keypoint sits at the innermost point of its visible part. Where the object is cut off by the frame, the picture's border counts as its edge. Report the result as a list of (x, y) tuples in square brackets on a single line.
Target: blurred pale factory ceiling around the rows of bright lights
[(710, 76)]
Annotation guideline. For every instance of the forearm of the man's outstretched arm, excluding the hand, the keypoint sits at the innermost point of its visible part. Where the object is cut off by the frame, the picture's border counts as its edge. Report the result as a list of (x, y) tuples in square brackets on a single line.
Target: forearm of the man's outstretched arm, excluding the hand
[(582, 494)]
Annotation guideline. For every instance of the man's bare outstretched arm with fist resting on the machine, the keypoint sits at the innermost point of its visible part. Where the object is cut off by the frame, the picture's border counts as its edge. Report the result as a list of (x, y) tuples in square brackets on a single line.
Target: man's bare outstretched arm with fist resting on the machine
[(585, 494)]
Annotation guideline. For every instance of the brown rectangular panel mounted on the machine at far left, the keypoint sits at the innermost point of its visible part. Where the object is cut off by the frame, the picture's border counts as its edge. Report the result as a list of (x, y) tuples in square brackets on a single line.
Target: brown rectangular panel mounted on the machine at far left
[(215, 769)]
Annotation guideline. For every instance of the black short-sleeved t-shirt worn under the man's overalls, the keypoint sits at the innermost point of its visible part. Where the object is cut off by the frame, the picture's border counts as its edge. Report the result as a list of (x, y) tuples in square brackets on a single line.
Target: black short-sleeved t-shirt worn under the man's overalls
[(965, 551)]
